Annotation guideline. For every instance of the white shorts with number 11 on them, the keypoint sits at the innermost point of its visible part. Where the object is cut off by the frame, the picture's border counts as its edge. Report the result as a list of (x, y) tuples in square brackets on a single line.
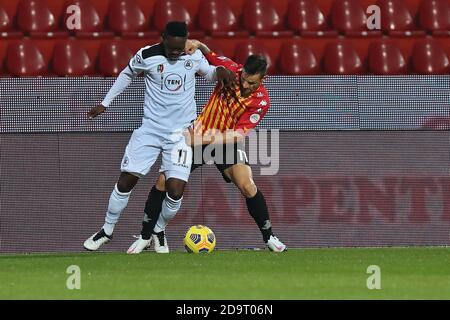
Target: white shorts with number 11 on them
[(144, 147)]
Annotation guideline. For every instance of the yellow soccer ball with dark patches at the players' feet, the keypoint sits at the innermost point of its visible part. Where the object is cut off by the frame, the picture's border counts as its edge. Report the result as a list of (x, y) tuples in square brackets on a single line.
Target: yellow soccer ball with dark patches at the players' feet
[(199, 239)]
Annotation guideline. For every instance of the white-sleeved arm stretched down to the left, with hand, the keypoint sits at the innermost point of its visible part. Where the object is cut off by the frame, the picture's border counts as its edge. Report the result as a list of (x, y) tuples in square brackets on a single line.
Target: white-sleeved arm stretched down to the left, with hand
[(134, 67)]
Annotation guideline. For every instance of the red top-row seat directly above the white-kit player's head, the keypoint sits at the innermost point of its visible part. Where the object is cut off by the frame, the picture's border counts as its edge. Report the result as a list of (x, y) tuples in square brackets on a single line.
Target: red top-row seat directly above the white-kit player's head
[(171, 10)]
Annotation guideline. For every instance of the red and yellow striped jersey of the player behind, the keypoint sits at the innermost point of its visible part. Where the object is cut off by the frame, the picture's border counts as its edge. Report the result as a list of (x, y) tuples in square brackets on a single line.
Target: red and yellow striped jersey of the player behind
[(231, 111)]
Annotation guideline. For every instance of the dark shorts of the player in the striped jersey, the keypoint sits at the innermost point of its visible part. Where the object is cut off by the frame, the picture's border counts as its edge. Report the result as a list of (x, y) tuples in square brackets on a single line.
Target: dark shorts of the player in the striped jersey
[(222, 156)]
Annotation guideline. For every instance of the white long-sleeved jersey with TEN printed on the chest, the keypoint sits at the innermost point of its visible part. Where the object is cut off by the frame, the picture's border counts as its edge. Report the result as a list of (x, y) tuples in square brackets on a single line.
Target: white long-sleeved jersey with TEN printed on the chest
[(169, 87)]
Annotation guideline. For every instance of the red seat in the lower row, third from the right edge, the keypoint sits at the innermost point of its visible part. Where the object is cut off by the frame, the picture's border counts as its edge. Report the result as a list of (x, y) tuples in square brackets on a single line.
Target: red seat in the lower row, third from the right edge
[(341, 58)]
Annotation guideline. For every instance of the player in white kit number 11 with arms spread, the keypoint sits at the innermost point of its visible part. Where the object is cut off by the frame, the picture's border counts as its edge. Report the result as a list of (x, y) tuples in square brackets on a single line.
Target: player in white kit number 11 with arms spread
[(169, 108)]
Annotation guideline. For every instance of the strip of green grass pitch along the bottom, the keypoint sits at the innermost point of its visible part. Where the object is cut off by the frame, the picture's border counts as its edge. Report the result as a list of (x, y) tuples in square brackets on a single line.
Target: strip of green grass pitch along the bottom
[(406, 273)]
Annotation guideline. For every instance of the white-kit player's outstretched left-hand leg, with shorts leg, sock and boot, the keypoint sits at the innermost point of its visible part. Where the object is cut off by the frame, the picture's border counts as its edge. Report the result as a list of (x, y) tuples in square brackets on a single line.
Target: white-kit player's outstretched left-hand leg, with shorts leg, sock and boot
[(138, 158)]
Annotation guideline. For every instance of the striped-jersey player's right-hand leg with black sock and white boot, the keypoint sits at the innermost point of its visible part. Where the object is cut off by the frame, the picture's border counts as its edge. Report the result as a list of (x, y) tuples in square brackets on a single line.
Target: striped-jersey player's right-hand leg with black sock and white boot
[(241, 176)]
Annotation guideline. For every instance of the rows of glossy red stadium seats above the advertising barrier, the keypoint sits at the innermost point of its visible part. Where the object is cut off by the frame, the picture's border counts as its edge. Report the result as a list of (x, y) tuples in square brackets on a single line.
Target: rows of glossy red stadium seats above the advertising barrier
[(298, 36)]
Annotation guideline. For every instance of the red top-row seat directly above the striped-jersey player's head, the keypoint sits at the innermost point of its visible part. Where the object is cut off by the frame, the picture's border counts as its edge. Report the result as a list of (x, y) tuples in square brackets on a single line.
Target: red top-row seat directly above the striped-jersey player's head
[(260, 18)]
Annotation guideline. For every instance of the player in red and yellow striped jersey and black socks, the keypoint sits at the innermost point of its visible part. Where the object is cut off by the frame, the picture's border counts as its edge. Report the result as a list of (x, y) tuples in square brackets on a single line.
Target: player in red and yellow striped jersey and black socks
[(226, 117)]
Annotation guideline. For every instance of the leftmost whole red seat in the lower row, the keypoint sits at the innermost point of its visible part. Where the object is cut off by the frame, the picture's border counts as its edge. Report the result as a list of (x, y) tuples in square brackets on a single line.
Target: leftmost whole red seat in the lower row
[(25, 60)]
